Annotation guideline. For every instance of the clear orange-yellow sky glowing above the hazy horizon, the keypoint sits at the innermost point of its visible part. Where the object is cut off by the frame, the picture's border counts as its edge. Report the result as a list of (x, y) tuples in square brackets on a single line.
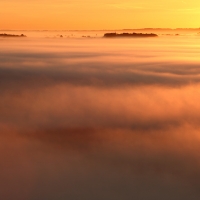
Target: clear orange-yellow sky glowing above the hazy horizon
[(104, 14)]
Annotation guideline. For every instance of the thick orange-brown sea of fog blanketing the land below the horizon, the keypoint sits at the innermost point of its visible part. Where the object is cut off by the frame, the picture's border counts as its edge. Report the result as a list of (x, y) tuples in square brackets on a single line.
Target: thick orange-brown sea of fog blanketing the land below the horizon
[(100, 119)]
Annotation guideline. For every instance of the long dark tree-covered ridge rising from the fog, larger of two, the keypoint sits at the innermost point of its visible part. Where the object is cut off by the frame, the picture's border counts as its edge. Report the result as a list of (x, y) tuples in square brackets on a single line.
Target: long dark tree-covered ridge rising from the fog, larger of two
[(114, 35)]
